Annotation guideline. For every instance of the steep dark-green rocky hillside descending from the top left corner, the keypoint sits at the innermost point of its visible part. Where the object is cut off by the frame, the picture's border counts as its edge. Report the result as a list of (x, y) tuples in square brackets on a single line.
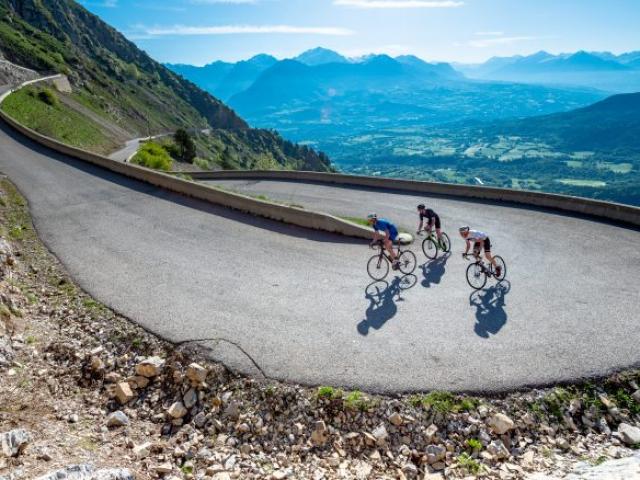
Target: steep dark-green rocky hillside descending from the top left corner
[(114, 78)]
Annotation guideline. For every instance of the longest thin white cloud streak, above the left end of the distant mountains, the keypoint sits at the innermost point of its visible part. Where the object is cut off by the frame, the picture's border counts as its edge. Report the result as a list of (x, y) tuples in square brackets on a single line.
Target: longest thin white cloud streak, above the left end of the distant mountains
[(183, 30)]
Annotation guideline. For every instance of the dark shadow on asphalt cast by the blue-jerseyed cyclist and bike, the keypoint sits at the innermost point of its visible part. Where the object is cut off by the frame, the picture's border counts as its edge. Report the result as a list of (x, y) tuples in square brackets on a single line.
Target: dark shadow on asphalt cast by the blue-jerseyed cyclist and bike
[(383, 297)]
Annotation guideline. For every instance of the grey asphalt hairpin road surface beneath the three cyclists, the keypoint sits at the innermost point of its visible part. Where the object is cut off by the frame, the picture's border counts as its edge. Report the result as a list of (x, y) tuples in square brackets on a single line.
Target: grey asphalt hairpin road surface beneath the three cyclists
[(291, 304)]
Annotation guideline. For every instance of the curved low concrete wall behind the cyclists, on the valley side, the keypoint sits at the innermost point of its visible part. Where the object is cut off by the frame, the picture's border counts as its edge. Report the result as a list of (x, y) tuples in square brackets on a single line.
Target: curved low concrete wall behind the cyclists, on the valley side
[(616, 212)]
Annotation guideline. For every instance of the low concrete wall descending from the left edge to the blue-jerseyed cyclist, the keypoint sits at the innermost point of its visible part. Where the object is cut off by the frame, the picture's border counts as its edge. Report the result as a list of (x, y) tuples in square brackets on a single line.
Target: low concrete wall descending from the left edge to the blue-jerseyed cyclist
[(292, 215)]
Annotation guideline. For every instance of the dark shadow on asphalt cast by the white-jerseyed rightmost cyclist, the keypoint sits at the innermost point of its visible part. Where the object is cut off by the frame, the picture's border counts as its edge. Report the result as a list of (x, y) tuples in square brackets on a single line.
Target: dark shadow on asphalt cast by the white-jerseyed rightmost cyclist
[(490, 313)]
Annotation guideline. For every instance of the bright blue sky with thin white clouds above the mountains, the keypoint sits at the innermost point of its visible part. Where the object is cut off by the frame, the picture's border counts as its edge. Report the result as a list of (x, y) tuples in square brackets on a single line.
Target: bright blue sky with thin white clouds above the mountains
[(200, 31)]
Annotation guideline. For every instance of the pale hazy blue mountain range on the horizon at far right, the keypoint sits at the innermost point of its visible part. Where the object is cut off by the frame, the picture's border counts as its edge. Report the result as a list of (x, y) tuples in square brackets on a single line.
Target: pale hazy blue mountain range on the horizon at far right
[(602, 70)]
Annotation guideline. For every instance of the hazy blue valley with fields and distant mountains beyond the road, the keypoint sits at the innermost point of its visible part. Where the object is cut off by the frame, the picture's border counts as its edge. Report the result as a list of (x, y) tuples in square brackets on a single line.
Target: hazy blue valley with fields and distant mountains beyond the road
[(478, 124)]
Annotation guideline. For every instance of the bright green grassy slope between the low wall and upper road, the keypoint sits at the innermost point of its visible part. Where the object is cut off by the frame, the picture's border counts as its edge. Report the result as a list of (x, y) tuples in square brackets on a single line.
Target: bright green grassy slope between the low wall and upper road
[(41, 110)]
